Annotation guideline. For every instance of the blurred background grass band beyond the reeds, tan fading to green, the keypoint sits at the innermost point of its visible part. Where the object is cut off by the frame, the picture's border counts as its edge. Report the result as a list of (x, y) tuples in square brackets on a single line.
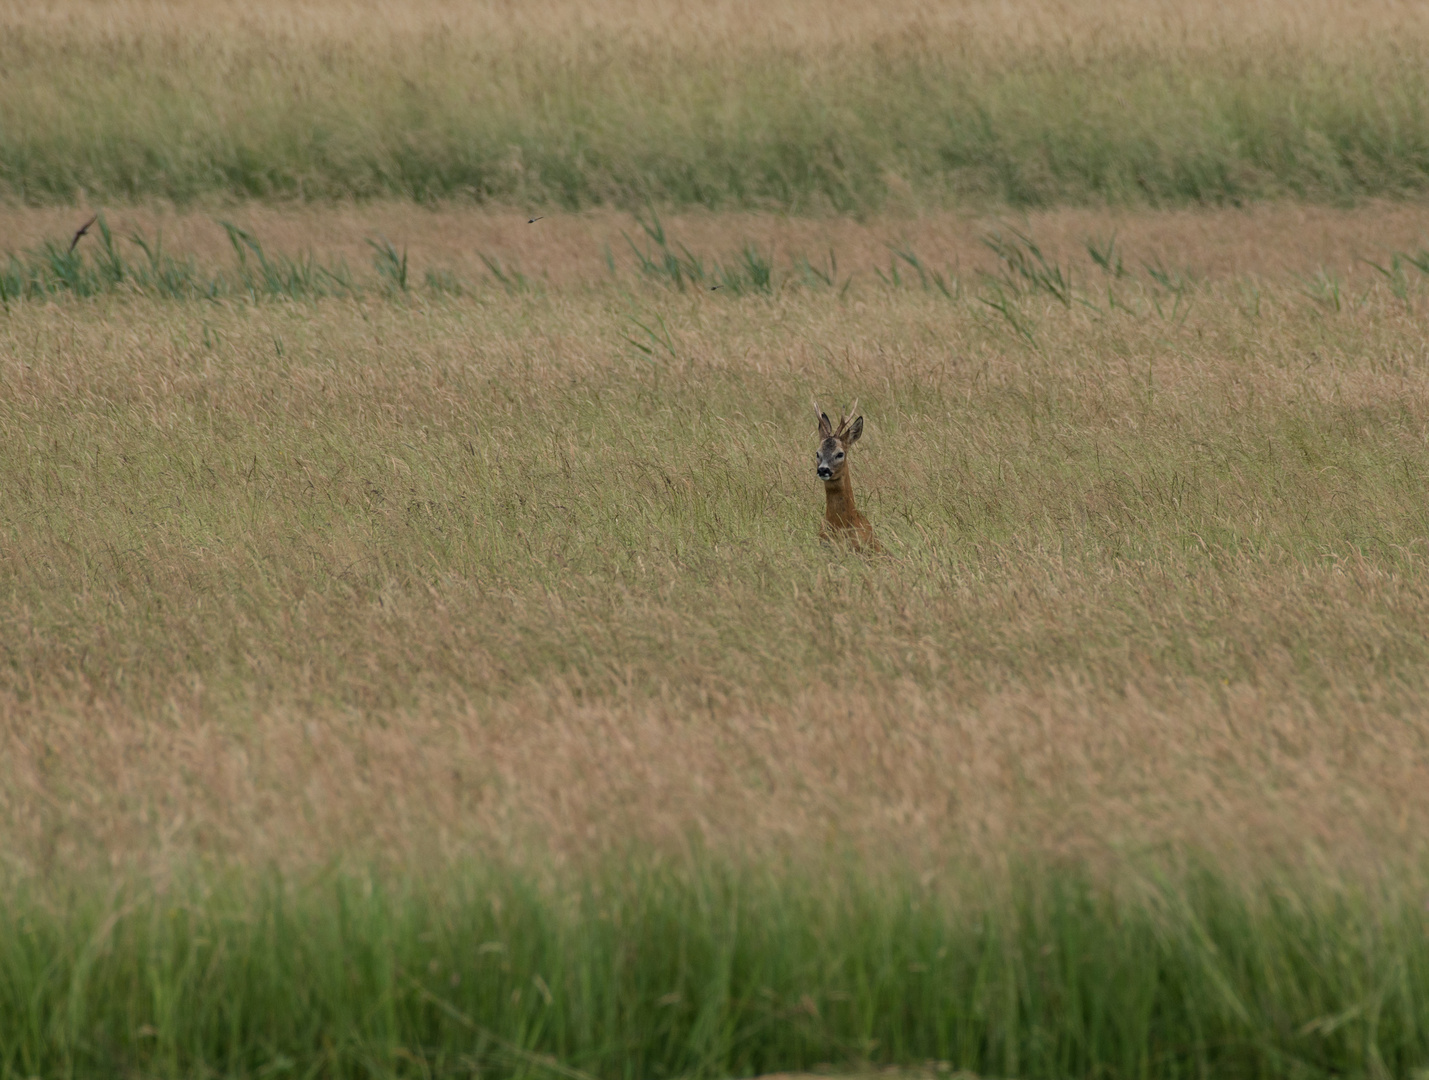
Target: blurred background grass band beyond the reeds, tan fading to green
[(571, 108)]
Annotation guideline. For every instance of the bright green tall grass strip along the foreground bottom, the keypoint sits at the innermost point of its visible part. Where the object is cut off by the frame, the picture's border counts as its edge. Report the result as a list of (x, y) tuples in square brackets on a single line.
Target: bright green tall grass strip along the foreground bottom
[(712, 972)]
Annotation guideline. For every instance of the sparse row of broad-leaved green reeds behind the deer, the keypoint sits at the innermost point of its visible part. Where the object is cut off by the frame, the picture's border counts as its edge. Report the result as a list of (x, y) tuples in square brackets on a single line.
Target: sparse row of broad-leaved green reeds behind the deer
[(88, 269)]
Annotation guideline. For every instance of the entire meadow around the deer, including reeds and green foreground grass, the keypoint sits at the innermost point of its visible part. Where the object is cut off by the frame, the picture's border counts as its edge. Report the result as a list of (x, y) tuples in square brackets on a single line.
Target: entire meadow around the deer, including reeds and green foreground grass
[(441, 675)]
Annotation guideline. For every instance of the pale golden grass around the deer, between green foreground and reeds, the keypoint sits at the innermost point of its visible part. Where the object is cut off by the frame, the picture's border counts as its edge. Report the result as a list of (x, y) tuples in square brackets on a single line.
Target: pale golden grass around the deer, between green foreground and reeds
[(418, 581)]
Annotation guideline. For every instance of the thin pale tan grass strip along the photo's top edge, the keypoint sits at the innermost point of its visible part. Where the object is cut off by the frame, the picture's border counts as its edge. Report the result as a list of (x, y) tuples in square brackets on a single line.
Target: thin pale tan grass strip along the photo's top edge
[(974, 29)]
